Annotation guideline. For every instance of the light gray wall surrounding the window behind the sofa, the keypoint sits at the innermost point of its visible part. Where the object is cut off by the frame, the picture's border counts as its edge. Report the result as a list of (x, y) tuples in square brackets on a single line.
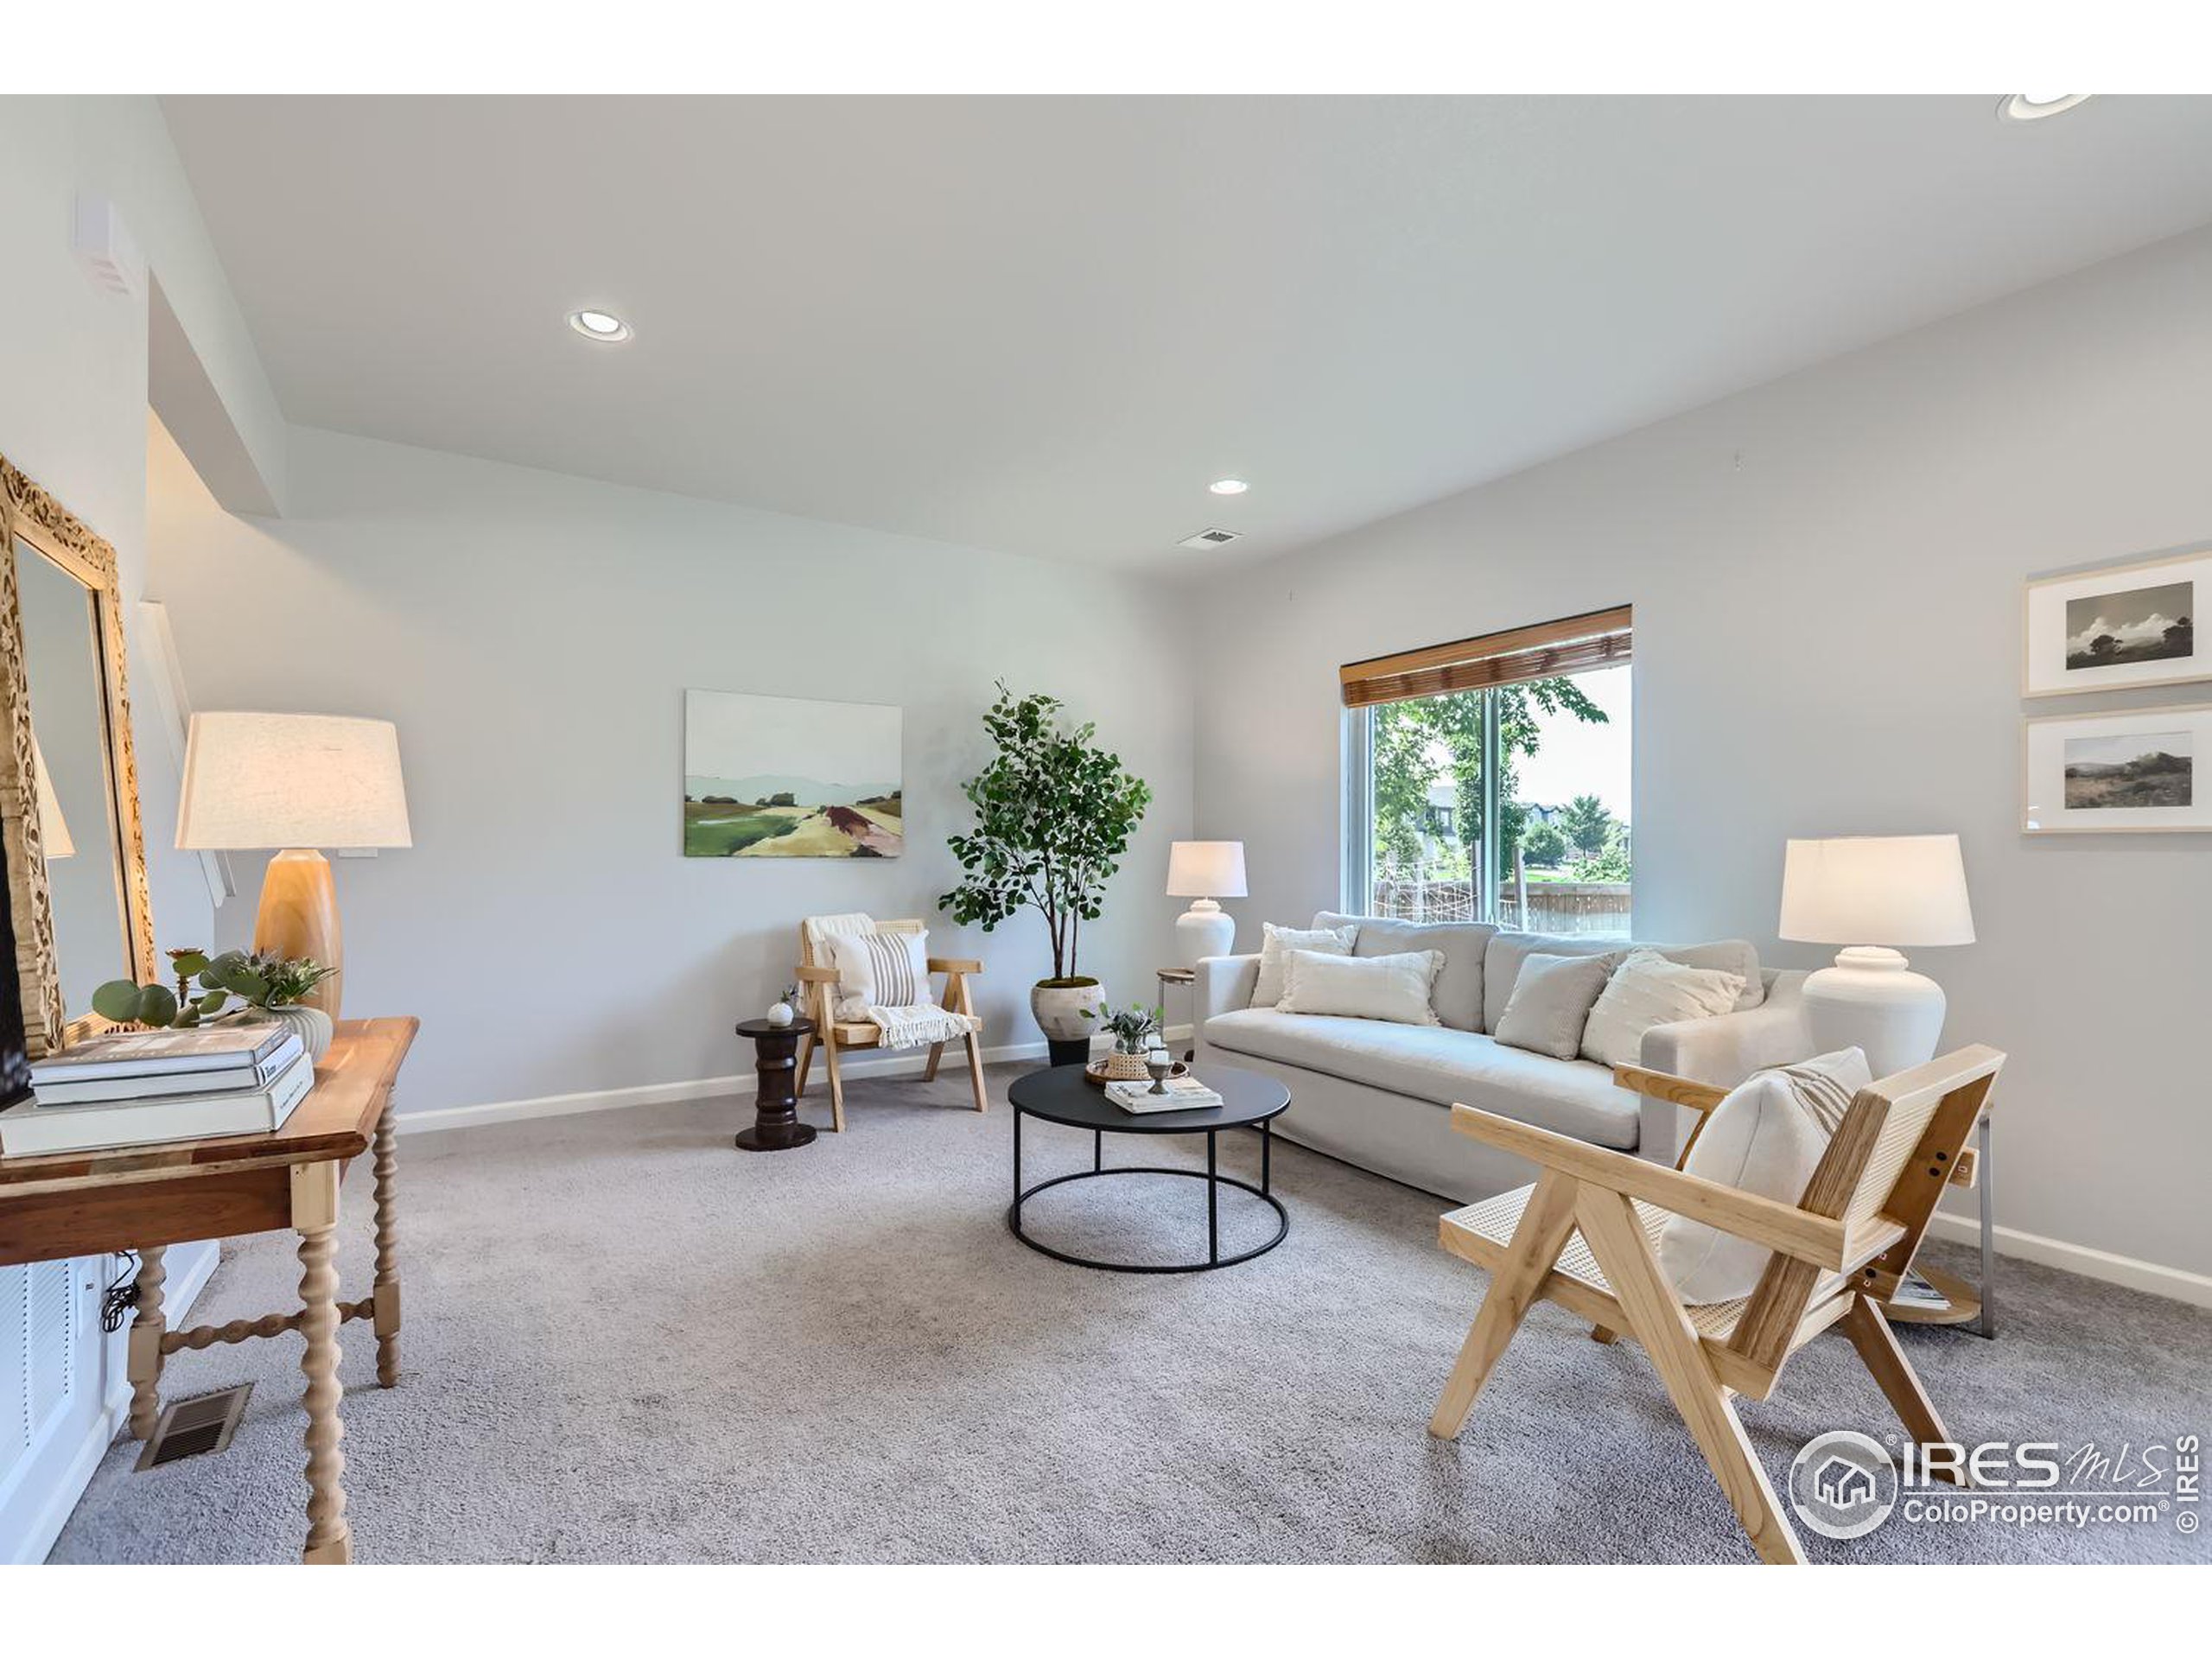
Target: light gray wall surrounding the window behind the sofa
[(1826, 576)]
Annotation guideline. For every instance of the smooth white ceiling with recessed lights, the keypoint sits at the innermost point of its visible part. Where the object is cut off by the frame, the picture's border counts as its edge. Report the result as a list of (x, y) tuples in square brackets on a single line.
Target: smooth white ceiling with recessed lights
[(1047, 324)]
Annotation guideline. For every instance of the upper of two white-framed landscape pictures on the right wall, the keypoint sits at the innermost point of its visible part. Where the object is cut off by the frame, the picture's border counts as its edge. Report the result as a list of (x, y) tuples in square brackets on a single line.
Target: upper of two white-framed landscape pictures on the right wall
[(2118, 629)]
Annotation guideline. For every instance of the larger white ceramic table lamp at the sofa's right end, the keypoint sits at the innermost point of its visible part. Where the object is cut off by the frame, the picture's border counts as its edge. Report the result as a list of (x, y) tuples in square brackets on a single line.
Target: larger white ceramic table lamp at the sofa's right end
[(1872, 895)]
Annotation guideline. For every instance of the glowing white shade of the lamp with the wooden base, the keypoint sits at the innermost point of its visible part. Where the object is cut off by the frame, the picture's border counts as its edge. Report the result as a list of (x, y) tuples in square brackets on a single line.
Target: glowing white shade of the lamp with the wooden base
[(291, 782)]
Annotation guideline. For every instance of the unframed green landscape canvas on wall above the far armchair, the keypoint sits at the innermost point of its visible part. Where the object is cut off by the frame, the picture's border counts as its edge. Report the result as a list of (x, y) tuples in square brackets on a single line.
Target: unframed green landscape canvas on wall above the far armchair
[(791, 778)]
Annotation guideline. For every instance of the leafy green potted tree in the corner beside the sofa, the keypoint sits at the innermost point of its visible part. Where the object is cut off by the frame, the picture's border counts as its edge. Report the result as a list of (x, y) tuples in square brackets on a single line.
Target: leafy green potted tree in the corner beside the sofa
[(1054, 815)]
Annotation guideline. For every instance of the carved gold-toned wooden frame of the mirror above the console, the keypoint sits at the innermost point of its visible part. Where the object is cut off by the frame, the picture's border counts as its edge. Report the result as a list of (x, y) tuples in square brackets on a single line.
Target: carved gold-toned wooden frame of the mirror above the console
[(30, 514)]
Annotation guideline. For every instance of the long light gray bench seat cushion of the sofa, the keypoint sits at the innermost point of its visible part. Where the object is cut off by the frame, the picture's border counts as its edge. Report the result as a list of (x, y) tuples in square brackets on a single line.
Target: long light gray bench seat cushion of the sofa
[(1439, 1065)]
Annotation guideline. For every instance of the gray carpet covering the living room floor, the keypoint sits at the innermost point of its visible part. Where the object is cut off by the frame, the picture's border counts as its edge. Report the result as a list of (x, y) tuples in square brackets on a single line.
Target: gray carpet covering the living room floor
[(632, 1344)]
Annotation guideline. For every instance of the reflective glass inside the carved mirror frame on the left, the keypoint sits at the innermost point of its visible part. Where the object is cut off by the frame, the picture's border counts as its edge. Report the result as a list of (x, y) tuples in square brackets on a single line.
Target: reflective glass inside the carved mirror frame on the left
[(76, 793)]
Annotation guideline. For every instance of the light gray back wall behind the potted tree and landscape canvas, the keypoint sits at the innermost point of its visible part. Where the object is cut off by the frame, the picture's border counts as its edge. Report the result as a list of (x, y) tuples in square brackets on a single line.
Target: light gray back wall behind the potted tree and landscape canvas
[(534, 636)]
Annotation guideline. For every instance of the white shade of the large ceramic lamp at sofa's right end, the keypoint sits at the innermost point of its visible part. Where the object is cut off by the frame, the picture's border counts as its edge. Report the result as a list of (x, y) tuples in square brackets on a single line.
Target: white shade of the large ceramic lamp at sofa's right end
[(1877, 890)]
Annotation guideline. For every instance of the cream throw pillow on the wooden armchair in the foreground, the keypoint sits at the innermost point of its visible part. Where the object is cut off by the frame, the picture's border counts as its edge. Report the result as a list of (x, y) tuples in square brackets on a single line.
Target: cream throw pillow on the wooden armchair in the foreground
[(1766, 1138)]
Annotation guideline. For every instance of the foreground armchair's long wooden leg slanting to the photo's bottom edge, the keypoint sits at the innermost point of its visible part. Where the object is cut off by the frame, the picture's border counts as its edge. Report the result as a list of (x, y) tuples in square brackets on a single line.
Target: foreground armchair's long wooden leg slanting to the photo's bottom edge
[(1658, 1319)]
